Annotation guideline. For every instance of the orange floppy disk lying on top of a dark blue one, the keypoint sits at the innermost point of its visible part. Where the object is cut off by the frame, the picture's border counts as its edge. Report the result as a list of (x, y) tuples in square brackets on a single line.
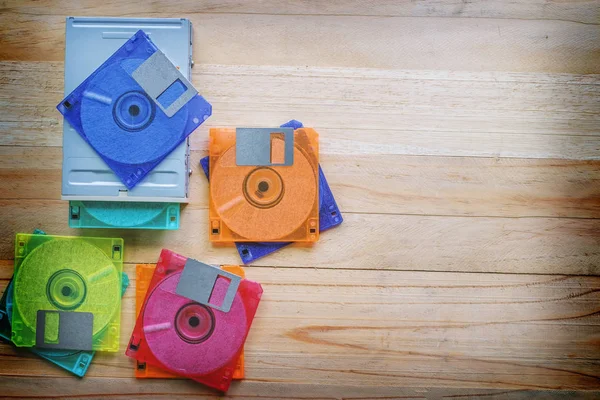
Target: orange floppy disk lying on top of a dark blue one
[(264, 185)]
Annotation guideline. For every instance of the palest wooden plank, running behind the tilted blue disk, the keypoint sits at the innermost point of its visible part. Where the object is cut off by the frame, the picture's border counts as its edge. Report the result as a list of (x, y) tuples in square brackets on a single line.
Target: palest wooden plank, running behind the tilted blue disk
[(421, 113)]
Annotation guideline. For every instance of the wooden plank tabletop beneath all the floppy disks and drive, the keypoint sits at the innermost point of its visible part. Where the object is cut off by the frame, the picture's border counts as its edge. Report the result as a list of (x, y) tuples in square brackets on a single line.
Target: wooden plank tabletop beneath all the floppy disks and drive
[(462, 142)]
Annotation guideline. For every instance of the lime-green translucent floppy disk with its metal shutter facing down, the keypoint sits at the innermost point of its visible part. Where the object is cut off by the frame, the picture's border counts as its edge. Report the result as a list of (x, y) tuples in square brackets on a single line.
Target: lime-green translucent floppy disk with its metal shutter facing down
[(67, 292)]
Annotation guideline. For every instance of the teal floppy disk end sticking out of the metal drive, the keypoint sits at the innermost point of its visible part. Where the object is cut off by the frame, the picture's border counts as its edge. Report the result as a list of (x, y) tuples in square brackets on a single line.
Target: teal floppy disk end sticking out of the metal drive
[(123, 215)]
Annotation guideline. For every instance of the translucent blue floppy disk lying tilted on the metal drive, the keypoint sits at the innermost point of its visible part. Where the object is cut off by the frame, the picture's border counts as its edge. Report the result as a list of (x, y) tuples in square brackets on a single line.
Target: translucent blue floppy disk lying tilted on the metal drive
[(135, 109)]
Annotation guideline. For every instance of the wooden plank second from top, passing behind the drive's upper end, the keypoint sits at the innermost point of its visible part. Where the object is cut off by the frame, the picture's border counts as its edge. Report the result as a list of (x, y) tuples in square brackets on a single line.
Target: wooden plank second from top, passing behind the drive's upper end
[(471, 44)]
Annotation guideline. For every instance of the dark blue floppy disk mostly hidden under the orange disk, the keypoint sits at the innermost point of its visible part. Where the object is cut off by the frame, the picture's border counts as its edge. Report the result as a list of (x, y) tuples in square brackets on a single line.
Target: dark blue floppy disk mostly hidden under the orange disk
[(329, 213)]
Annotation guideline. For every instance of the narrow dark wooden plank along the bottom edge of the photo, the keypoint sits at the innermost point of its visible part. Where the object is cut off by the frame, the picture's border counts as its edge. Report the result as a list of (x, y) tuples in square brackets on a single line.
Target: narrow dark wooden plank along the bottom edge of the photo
[(126, 388)]
